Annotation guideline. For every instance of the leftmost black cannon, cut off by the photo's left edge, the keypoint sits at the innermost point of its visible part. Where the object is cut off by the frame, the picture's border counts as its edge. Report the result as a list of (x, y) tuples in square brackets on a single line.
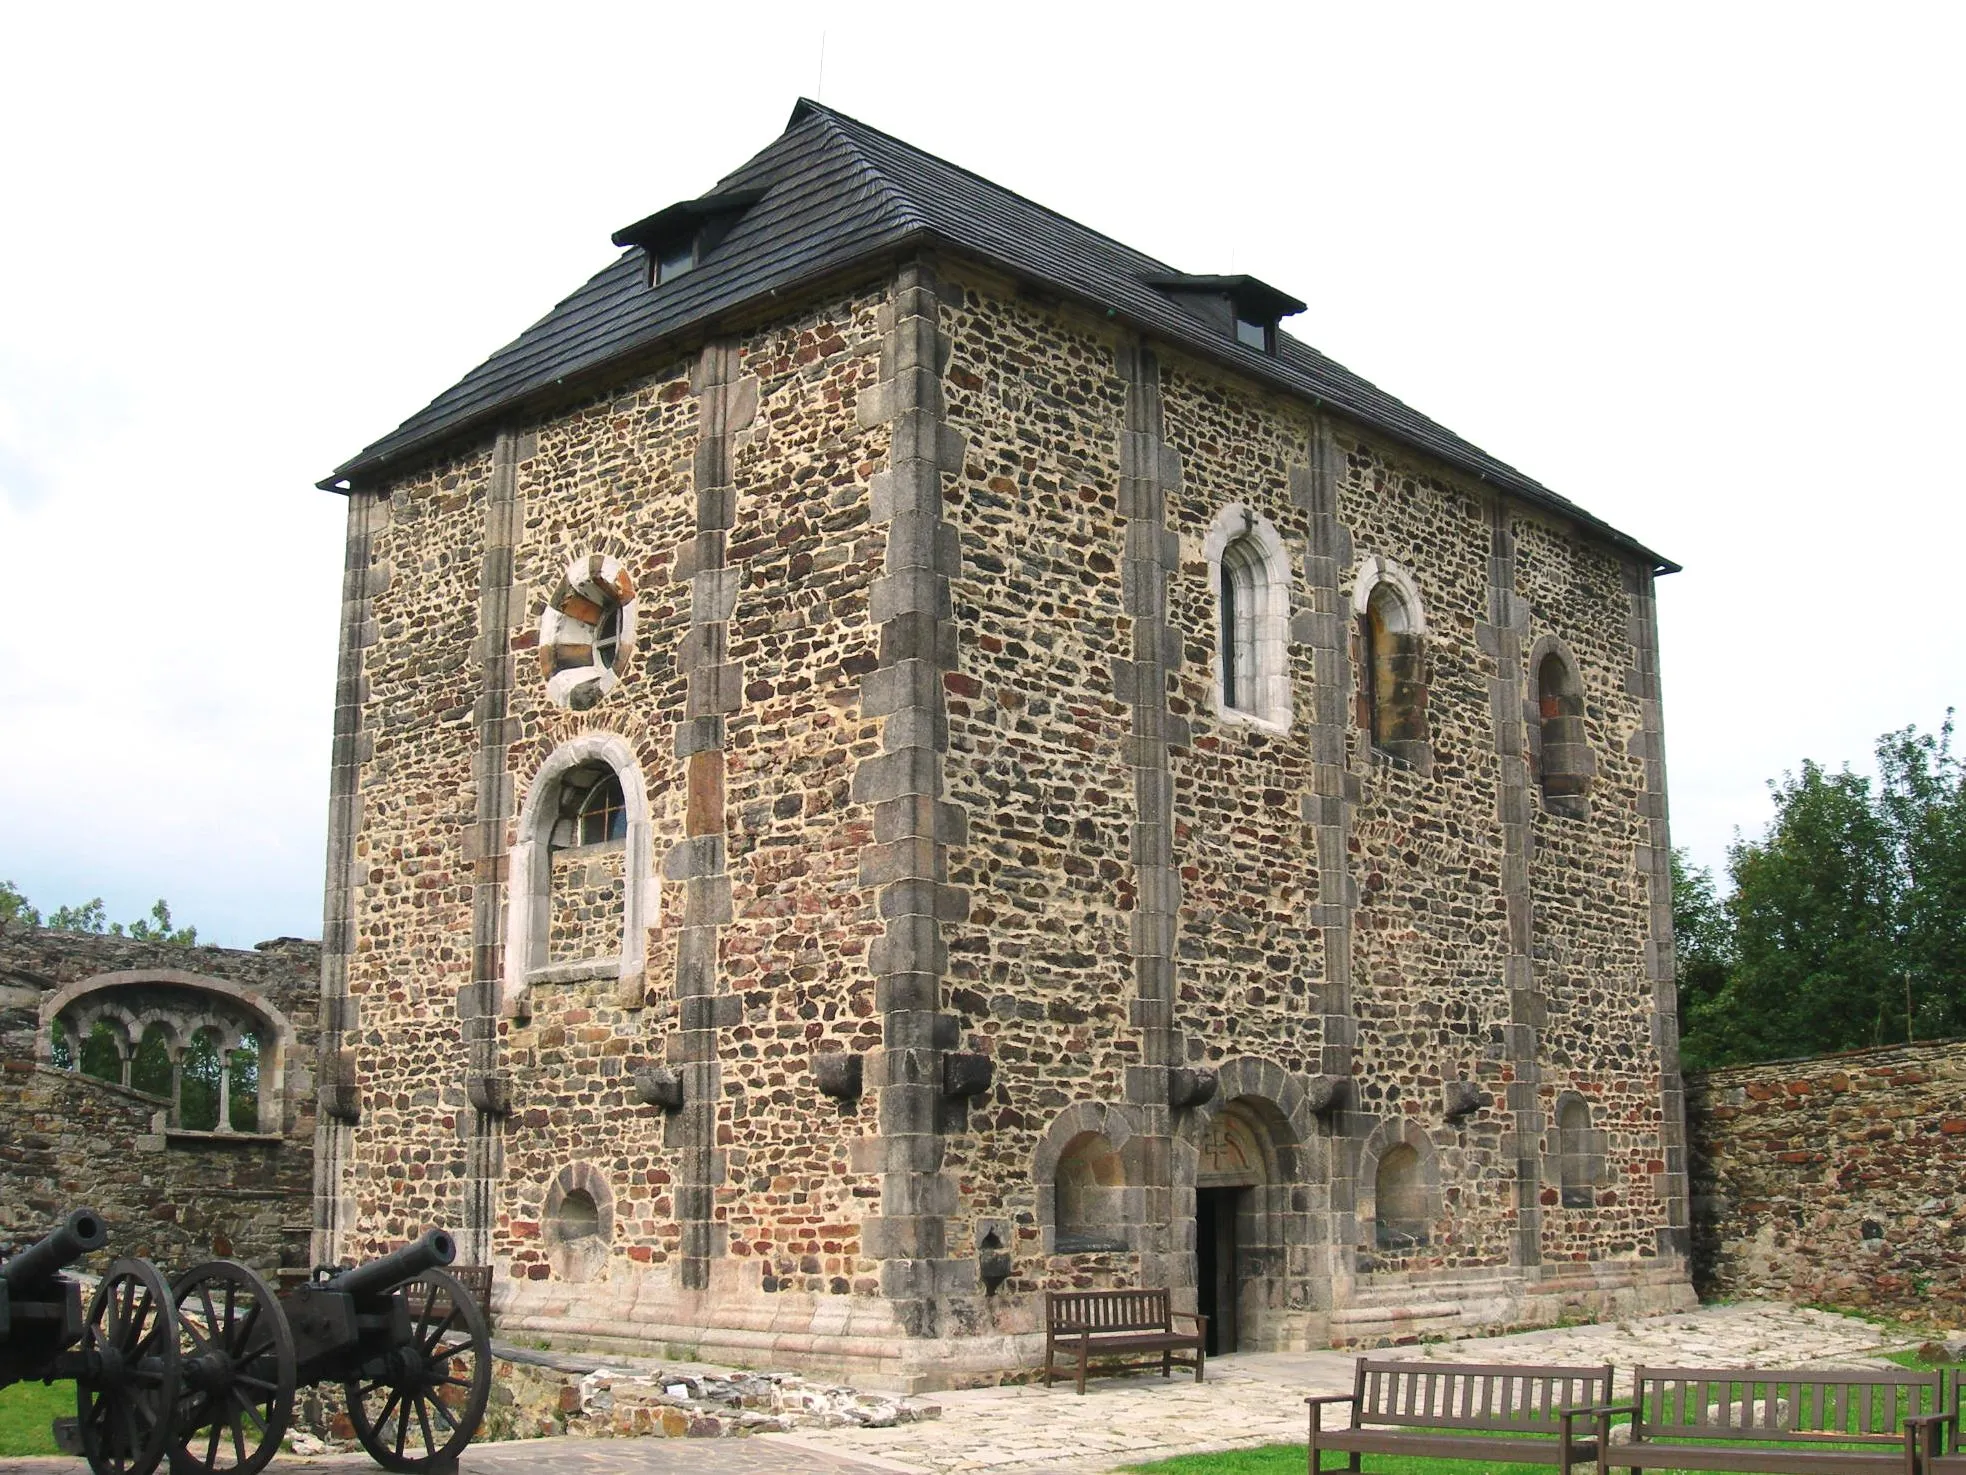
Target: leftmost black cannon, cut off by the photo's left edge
[(123, 1354)]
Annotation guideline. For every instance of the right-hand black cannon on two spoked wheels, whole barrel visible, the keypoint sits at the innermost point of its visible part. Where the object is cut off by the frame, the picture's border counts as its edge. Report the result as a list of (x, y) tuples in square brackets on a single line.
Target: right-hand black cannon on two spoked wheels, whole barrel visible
[(408, 1344)]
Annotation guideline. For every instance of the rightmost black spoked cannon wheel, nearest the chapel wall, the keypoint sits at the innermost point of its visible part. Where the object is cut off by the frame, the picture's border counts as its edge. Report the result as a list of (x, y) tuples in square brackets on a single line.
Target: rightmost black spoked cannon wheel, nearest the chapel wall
[(420, 1405)]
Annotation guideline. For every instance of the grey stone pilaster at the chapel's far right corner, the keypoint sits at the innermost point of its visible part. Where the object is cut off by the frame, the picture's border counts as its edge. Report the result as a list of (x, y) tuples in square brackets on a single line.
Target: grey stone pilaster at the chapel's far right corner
[(1654, 856)]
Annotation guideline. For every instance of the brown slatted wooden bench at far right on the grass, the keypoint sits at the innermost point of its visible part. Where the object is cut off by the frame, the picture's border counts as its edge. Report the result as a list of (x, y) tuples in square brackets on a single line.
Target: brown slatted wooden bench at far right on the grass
[(1786, 1423)]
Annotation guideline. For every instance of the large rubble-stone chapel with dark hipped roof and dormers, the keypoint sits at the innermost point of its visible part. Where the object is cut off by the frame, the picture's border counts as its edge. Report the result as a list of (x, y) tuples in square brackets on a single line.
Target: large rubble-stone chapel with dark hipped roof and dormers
[(894, 754)]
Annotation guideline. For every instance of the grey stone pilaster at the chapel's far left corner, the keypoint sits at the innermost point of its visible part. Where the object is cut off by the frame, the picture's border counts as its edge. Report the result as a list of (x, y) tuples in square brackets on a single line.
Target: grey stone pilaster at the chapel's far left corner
[(369, 516)]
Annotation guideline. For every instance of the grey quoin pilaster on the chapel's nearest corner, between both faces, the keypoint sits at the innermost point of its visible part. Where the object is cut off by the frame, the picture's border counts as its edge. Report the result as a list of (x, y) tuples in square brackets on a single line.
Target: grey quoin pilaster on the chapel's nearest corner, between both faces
[(913, 825)]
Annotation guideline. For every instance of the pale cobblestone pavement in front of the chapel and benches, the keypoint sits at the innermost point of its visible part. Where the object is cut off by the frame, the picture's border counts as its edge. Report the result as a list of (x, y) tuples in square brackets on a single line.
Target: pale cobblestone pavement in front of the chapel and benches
[(1247, 1399)]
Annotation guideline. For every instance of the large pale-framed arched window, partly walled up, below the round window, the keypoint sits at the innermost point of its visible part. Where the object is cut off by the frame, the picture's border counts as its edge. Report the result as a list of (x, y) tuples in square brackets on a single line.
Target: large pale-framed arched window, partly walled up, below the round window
[(581, 886)]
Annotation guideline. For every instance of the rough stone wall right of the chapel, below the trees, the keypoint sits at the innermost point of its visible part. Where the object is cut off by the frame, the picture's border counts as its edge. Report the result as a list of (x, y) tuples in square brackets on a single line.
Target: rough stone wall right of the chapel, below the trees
[(1835, 1179)]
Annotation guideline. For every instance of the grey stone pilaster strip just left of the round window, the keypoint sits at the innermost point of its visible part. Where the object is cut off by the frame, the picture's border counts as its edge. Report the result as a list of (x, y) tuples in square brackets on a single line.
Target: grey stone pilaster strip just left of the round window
[(479, 1004)]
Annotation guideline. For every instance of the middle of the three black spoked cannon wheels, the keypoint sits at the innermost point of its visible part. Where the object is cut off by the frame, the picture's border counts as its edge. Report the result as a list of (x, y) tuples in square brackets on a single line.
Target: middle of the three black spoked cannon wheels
[(239, 1372)]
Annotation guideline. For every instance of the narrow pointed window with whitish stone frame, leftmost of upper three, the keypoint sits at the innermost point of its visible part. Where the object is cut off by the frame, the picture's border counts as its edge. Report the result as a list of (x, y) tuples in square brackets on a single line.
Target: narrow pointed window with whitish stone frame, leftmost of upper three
[(1249, 567)]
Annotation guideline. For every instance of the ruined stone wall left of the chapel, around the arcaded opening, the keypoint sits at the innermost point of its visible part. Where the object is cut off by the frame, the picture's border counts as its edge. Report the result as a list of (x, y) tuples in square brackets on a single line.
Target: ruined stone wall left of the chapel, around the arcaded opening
[(170, 1197)]
